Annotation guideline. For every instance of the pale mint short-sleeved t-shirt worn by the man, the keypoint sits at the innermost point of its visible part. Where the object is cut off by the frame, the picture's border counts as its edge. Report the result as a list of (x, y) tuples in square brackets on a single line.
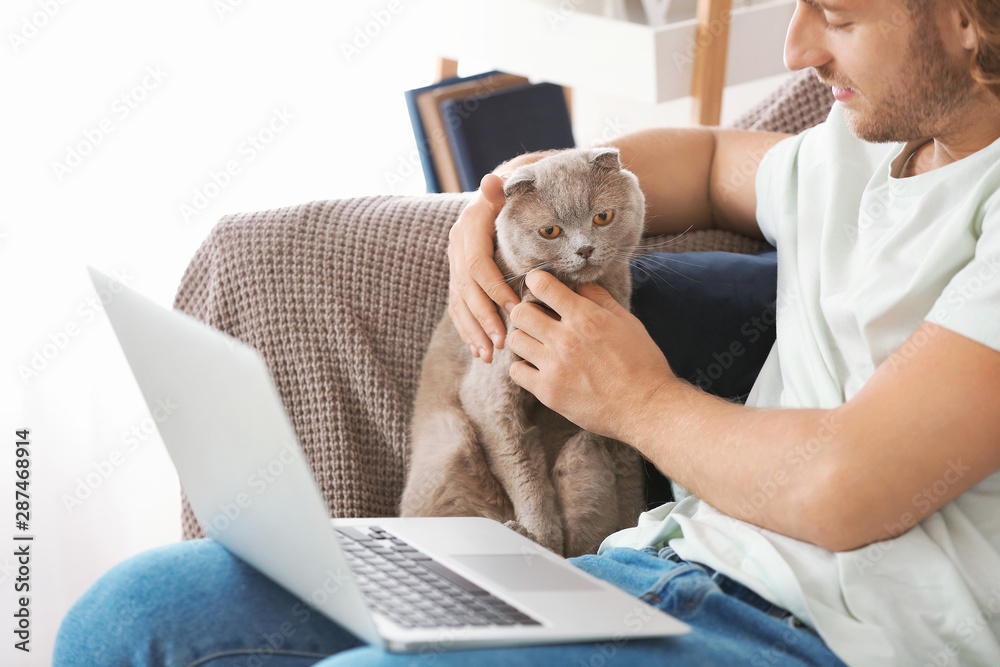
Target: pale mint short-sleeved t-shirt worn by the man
[(863, 259)]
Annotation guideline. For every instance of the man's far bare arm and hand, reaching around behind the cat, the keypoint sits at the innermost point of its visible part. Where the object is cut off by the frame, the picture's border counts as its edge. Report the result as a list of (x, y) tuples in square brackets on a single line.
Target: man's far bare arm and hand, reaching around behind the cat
[(701, 178)]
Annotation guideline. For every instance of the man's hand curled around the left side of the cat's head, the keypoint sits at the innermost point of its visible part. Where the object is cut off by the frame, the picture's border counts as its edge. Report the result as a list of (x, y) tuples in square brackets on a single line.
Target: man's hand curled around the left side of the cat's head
[(476, 283)]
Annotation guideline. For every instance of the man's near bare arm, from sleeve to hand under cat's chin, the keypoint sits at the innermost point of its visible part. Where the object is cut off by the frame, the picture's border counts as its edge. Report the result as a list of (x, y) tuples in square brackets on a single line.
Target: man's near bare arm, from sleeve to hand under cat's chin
[(923, 430)]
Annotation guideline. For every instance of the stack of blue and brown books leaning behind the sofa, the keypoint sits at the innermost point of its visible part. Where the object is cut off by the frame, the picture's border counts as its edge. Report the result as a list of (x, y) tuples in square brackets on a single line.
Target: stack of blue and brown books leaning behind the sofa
[(466, 126)]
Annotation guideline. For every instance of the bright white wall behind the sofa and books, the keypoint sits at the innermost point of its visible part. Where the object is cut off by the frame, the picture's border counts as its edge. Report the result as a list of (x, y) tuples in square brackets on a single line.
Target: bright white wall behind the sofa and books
[(155, 100)]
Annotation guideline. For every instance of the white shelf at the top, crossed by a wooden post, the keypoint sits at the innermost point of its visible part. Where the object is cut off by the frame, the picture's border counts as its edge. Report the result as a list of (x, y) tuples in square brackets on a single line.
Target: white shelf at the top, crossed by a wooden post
[(617, 57)]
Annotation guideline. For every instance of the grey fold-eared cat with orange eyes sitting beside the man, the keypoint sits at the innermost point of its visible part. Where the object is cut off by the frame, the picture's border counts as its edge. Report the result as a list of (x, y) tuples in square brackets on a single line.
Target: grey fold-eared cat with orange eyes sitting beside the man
[(480, 445)]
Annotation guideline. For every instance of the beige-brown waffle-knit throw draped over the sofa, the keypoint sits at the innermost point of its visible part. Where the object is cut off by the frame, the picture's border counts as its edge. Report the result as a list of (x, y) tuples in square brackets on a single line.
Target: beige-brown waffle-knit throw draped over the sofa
[(340, 297)]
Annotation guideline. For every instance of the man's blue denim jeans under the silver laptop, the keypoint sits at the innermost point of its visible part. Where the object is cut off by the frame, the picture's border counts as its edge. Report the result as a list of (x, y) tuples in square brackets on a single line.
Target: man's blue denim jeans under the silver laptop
[(194, 603)]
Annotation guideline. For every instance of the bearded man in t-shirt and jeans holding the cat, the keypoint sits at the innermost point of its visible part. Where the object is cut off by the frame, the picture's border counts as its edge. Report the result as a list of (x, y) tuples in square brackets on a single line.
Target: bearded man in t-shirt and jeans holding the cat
[(850, 512)]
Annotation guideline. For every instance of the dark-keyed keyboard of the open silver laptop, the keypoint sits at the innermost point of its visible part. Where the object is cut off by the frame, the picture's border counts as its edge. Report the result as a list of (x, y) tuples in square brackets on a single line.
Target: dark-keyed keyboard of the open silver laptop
[(415, 591)]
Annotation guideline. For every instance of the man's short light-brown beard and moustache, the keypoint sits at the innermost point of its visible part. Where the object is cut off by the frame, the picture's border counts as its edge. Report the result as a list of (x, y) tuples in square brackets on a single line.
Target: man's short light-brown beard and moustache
[(922, 102)]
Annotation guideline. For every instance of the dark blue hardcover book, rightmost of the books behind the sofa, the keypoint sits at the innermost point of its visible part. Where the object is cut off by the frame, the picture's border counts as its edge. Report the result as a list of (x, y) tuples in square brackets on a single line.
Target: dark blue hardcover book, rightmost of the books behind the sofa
[(485, 131)]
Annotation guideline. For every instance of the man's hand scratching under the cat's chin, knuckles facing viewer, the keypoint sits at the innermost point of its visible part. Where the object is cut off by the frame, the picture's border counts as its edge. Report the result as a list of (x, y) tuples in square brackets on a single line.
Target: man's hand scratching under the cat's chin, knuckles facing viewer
[(595, 365)]
